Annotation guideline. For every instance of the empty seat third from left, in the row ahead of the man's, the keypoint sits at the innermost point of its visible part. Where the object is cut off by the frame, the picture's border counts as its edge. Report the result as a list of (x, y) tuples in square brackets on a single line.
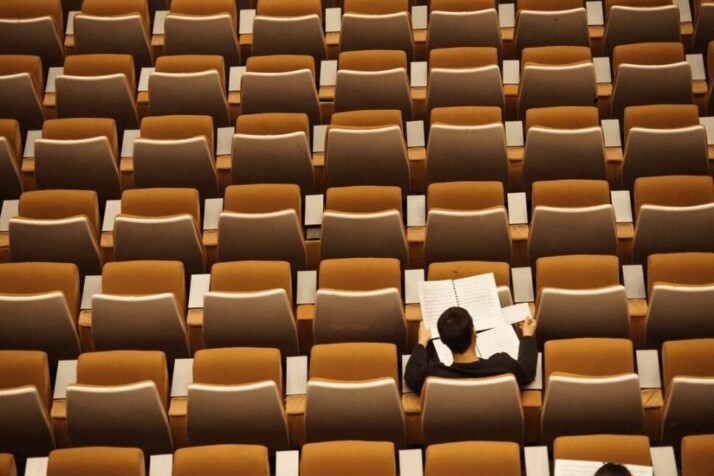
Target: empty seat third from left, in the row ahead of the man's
[(250, 304)]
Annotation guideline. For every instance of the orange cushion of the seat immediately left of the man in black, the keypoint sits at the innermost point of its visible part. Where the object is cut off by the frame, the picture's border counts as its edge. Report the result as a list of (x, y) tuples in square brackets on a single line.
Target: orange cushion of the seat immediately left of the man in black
[(350, 361)]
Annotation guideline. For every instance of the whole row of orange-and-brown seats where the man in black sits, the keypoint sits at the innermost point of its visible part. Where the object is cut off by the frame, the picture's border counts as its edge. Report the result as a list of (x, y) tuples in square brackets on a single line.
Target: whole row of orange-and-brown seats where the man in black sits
[(237, 395)]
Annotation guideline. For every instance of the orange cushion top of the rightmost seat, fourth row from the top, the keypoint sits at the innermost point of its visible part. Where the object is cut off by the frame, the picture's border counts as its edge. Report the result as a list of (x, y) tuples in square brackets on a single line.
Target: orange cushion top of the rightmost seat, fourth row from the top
[(673, 191)]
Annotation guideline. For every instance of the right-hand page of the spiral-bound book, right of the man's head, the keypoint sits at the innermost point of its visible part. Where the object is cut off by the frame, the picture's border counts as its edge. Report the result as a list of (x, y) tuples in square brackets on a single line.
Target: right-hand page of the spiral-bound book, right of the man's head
[(479, 296)]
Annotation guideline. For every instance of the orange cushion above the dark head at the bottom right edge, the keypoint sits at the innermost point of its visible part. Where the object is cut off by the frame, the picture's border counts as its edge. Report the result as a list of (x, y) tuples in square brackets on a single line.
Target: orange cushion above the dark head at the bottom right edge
[(625, 449)]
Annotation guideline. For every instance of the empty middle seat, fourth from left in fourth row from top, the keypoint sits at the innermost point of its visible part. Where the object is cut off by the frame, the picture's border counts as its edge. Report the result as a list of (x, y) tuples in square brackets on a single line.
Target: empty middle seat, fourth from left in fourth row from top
[(363, 221)]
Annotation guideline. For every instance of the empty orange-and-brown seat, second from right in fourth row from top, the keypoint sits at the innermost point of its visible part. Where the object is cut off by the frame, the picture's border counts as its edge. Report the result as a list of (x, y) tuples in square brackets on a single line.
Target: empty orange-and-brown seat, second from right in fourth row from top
[(571, 217)]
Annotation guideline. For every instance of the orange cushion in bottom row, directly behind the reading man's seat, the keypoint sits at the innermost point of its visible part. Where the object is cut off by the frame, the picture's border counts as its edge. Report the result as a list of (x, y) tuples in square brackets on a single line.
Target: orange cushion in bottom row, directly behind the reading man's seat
[(473, 457)]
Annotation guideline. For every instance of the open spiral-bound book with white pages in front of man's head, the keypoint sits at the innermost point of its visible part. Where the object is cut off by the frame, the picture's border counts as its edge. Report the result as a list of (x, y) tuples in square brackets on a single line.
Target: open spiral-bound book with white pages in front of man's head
[(477, 294)]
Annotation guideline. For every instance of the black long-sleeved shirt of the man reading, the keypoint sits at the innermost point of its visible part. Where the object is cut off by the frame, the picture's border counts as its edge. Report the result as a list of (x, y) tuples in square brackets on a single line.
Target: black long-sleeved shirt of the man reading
[(420, 366)]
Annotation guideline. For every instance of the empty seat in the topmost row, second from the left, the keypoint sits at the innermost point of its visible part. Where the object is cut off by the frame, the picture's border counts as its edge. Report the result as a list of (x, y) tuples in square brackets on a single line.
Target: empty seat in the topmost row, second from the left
[(118, 26)]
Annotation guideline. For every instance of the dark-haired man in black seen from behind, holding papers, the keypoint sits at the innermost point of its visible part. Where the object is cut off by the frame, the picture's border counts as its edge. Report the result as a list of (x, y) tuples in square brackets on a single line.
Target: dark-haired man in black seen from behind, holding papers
[(457, 332)]
